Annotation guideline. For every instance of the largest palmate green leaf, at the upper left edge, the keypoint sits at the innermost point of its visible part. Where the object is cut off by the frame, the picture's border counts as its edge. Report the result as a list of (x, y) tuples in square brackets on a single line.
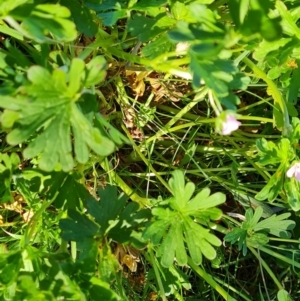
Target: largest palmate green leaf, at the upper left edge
[(48, 110)]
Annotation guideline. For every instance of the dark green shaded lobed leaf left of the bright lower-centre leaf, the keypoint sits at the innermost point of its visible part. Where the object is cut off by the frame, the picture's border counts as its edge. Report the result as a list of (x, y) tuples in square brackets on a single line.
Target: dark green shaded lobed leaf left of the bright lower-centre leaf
[(108, 217)]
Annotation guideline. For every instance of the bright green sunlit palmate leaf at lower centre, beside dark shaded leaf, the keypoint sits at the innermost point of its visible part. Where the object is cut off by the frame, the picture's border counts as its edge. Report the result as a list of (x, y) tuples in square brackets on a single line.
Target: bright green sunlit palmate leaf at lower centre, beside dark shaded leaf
[(175, 228)]
